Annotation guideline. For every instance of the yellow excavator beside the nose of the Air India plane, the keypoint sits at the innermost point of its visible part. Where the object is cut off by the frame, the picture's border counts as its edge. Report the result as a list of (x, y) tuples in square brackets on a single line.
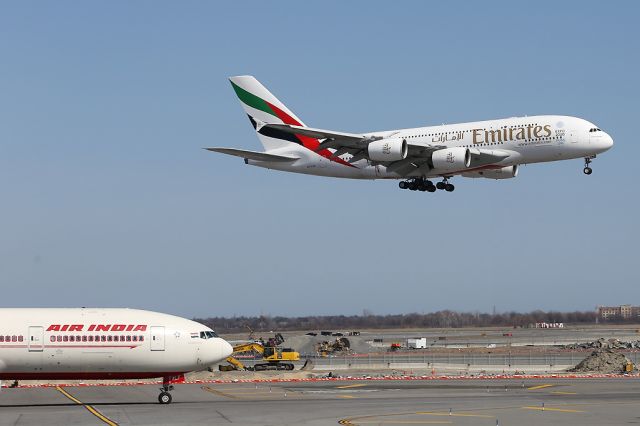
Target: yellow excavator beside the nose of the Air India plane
[(274, 356)]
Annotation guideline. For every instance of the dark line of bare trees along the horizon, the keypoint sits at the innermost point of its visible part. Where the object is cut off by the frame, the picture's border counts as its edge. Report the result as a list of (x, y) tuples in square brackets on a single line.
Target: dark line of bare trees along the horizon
[(440, 319)]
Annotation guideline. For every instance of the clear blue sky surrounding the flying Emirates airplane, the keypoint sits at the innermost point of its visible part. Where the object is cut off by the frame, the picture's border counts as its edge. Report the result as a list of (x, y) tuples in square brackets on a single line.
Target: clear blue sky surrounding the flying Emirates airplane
[(107, 198)]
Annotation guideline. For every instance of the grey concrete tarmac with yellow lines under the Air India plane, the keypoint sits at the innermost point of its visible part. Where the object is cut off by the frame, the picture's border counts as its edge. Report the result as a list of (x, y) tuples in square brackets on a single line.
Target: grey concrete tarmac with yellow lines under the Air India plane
[(388, 402)]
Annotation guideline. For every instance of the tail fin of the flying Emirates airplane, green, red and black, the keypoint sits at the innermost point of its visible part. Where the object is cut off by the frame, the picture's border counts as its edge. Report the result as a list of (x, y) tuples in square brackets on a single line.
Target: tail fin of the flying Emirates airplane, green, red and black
[(264, 108)]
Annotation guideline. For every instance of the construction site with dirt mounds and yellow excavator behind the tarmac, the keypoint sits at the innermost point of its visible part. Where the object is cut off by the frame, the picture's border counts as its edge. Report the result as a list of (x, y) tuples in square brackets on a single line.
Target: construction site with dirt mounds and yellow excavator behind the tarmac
[(450, 352)]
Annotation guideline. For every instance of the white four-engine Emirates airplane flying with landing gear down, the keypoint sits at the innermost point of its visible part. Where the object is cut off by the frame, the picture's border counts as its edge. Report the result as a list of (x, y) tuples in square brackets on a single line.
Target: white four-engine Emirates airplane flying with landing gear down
[(483, 149)]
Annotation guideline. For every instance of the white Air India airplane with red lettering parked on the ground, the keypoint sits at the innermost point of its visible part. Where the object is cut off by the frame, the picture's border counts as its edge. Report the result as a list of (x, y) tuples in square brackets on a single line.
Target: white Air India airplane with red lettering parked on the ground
[(96, 344)]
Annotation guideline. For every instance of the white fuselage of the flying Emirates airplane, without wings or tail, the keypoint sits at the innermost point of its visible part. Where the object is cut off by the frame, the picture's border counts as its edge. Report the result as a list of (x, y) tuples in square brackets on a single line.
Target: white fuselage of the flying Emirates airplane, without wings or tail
[(526, 140)]
